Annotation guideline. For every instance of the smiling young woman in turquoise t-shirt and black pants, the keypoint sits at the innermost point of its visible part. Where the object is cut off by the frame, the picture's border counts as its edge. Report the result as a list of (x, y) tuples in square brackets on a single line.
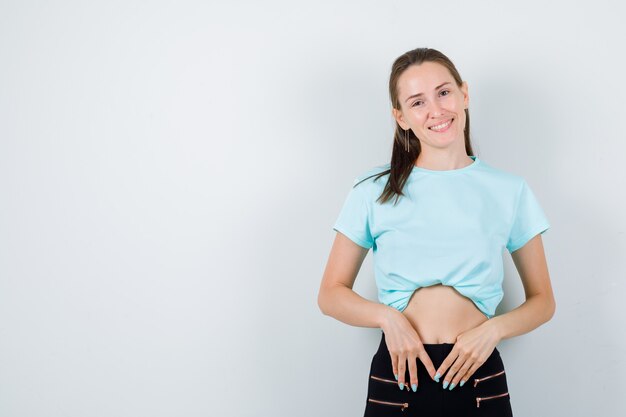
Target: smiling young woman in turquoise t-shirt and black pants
[(438, 220)]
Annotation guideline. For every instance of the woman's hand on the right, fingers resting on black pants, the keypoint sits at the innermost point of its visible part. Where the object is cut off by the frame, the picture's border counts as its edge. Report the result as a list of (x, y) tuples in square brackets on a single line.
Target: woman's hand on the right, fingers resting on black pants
[(471, 349)]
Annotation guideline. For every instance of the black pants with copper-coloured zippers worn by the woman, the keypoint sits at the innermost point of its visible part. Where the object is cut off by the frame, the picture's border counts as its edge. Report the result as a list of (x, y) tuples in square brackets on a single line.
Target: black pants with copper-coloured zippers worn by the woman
[(484, 394)]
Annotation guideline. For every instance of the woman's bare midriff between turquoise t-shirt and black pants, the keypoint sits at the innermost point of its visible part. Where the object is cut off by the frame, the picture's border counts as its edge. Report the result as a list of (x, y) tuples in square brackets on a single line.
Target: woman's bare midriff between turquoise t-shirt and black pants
[(439, 313)]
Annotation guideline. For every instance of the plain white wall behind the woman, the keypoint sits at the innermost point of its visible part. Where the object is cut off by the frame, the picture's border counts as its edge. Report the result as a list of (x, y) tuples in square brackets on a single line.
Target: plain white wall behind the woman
[(170, 172)]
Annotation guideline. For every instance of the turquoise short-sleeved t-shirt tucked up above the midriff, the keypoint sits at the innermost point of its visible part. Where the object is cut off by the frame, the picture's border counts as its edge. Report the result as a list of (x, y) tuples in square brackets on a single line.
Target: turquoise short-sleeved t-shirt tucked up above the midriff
[(451, 227)]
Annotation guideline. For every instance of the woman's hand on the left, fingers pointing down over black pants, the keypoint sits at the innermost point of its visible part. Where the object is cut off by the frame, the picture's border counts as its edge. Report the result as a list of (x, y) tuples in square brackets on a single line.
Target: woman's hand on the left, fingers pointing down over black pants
[(404, 345)]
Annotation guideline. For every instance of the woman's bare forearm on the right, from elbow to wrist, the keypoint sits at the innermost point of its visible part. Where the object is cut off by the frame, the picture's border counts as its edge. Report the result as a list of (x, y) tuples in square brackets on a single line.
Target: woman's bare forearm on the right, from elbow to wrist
[(531, 314)]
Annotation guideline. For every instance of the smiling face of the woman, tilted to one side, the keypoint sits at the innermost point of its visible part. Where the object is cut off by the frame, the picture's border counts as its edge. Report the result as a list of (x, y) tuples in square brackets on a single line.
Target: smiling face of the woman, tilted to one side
[(429, 97)]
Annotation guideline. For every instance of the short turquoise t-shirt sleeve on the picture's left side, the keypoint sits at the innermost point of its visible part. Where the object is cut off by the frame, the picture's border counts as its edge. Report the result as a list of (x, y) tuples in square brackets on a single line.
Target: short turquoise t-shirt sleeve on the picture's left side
[(353, 219)]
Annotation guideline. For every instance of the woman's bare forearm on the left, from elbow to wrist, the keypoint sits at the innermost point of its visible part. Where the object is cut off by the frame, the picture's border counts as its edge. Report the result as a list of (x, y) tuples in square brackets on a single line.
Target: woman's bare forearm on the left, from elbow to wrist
[(345, 305)]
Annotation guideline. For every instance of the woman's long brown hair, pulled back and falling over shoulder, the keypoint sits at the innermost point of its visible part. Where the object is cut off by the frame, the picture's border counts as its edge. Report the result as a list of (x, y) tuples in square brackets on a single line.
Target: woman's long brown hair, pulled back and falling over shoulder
[(402, 162)]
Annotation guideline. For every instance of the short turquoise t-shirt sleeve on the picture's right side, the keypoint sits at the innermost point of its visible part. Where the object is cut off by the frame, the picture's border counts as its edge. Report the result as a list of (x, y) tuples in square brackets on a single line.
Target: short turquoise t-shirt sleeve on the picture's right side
[(528, 221)]
